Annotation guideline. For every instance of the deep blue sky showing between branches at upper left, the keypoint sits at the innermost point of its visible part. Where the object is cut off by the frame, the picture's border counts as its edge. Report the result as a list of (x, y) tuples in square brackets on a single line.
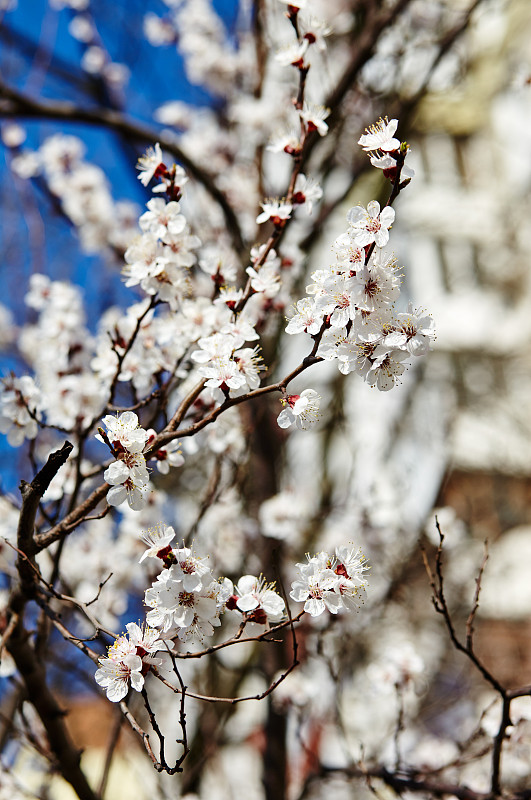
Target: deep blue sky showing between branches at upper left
[(40, 57)]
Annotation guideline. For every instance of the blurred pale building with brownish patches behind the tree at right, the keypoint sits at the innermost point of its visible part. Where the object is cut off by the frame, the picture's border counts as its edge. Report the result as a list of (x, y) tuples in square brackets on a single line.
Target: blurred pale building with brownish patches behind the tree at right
[(468, 243)]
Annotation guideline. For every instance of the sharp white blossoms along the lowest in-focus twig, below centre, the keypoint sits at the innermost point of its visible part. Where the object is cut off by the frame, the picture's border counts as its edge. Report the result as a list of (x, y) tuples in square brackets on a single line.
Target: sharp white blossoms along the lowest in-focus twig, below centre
[(185, 603)]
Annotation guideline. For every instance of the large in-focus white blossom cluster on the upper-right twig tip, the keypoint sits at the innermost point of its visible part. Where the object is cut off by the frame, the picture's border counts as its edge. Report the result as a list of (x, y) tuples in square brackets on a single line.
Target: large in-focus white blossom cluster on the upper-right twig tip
[(353, 300)]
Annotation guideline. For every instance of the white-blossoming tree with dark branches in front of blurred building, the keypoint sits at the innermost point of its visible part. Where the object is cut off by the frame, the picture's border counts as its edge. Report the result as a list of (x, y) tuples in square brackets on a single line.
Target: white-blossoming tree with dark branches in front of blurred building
[(160, 425)]
